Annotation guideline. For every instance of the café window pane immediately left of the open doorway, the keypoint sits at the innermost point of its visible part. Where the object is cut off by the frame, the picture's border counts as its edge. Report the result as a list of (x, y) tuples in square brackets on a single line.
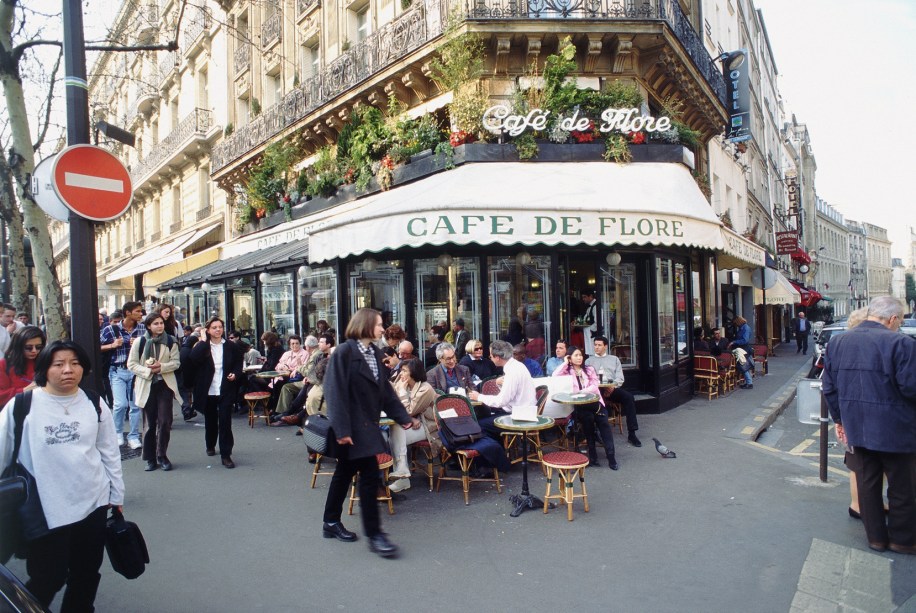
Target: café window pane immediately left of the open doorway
[(519, 289)]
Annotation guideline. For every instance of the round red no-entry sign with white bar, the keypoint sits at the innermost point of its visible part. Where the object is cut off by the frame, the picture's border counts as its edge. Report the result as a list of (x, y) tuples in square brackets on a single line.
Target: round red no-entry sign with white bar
[(92, 182)]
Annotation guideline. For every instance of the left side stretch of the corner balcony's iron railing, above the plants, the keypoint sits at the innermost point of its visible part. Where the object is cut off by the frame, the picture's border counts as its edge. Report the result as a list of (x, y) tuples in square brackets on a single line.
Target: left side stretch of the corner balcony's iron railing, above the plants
[(422, 23)]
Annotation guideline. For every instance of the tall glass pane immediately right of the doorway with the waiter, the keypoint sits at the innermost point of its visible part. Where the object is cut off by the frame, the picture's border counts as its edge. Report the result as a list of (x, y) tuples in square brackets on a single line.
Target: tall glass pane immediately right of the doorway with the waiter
[(618, 299)]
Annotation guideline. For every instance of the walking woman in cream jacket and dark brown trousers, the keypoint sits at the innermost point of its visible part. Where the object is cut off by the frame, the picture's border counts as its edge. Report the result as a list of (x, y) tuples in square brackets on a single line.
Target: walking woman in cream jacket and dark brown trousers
[(154, 360)]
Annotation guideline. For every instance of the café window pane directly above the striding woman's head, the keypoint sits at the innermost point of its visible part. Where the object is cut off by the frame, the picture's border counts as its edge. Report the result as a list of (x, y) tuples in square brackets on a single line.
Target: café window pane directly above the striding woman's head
[(378, 285)]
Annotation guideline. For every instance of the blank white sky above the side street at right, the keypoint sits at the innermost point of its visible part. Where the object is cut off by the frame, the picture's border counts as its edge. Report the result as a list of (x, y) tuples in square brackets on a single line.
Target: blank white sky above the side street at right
[(846, 70)]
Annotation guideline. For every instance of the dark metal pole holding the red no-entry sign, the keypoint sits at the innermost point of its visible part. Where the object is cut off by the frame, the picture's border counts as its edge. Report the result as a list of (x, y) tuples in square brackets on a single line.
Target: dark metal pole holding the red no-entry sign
[(84, 297)]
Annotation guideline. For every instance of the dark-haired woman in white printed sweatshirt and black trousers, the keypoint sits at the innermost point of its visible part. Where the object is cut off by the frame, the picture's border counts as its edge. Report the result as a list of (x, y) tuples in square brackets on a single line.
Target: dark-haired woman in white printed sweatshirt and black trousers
[(78, 477)]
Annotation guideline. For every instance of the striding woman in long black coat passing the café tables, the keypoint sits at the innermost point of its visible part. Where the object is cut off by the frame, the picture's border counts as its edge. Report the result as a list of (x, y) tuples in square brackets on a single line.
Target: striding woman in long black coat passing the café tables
[(357, 390)]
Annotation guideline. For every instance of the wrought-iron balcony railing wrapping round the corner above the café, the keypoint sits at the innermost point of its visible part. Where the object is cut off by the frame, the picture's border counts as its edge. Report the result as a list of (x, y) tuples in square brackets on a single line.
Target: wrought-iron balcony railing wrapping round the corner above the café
[(424, 22)]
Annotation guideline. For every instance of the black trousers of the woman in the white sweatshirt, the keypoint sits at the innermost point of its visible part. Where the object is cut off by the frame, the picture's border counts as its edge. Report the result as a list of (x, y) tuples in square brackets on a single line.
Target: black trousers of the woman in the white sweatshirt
[(70, 555)]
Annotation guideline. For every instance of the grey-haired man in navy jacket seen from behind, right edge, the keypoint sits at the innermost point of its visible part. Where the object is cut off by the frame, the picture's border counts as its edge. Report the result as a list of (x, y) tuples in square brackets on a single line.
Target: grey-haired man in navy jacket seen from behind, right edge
[(869, 384)]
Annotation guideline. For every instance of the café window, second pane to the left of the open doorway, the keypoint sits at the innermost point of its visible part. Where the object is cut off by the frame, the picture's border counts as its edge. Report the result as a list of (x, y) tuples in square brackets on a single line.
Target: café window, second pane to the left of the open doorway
[(447, 288)]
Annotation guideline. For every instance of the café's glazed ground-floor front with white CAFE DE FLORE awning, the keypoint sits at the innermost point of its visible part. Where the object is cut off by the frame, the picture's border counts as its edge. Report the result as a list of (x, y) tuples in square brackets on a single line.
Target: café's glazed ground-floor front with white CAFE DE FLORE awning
[(508, 247)]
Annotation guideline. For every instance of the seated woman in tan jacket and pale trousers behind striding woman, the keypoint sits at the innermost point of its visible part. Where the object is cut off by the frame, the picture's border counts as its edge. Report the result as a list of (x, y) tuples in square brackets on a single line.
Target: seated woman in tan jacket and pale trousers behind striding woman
[(418, 397)]
